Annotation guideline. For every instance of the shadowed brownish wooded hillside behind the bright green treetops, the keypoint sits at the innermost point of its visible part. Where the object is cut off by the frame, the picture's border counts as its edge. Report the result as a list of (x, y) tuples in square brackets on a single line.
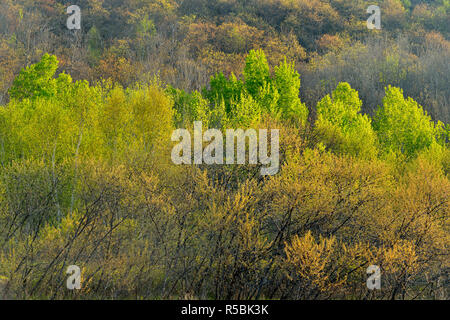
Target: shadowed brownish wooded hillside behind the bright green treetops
[(188, 41)]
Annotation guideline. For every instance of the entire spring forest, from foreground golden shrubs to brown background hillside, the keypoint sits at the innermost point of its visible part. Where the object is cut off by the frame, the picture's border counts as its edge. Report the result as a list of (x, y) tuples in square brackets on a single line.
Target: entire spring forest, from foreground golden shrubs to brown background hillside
[(86, 123)]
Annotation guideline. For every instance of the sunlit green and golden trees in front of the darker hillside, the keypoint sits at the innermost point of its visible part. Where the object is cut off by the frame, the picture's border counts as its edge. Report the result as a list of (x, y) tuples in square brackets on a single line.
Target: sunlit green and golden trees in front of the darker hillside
[(86, 179)]
